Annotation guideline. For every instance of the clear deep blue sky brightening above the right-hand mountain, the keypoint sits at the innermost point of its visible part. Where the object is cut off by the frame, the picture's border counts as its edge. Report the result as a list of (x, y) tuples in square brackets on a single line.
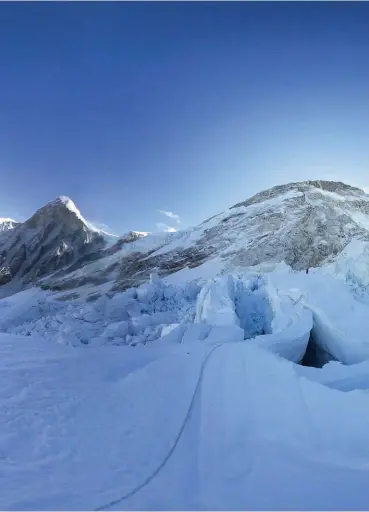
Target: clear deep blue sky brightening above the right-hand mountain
[(131, 108)]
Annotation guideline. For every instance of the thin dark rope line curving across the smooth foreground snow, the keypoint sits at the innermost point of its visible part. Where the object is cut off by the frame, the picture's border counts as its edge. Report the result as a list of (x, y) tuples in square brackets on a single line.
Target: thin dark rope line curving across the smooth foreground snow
[(176, 440)]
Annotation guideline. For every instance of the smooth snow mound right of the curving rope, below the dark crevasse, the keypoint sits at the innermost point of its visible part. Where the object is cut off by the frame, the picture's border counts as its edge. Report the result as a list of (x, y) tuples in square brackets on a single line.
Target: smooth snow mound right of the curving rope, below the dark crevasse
[(260, 441)]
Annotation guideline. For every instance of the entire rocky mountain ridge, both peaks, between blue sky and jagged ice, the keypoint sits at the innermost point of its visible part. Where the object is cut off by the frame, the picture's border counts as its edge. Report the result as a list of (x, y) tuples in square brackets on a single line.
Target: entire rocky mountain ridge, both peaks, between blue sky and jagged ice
[(304, 224)]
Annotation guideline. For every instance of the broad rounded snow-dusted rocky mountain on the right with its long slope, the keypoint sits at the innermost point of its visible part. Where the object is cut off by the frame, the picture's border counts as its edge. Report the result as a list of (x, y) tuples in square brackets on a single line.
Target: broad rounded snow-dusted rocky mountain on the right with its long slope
[(303, 224)]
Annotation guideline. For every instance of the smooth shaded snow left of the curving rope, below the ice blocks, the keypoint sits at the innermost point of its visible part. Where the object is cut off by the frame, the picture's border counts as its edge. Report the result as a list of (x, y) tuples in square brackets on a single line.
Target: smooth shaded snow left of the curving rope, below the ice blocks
[(63, 410)]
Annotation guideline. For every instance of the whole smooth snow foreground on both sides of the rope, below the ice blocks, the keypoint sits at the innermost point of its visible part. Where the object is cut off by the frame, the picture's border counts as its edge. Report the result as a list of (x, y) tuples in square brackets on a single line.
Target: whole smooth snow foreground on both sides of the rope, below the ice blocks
[(191, 426)]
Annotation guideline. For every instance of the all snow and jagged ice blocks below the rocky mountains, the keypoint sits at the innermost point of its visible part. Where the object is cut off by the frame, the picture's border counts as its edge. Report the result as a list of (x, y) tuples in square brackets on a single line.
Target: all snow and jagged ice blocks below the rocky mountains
[(187, 393)]
